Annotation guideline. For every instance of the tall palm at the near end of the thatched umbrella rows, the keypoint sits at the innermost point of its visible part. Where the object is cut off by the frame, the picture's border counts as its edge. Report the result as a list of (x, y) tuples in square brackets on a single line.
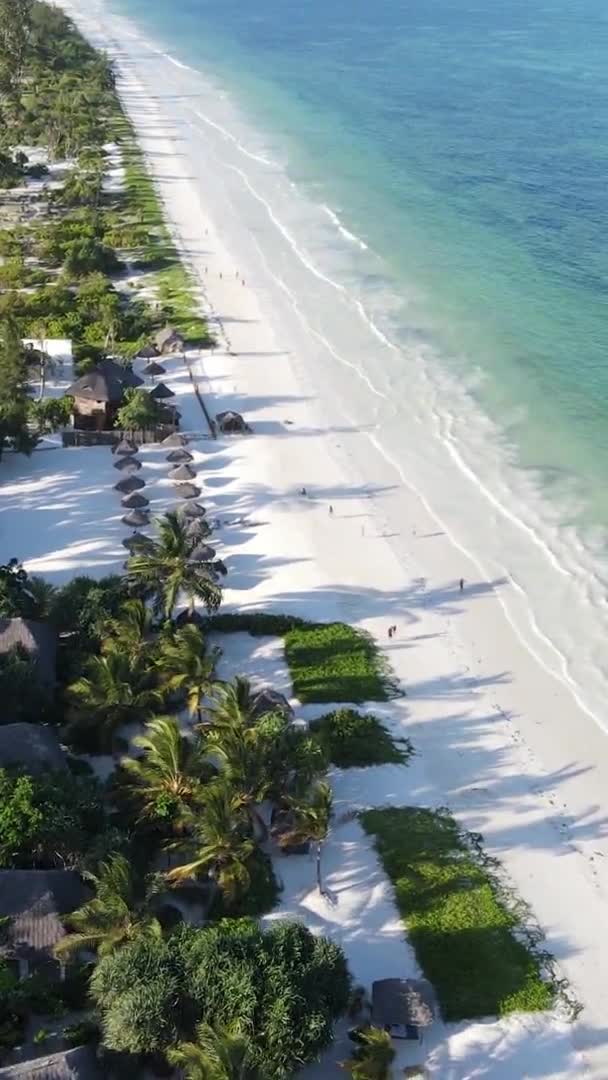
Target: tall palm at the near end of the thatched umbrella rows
[(167, 571)]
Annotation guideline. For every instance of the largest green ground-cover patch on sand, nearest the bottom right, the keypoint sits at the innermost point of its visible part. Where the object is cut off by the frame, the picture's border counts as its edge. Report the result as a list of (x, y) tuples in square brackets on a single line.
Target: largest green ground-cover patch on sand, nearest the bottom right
[(469, 937)]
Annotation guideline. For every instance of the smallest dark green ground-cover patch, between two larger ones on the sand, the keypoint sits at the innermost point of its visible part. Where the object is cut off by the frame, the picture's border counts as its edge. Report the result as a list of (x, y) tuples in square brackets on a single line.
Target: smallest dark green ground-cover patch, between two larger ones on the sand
[(355, 740)]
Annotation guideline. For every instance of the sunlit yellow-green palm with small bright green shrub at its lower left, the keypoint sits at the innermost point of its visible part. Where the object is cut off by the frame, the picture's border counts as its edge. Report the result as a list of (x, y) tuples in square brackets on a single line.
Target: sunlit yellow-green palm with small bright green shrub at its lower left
[(168, 778)]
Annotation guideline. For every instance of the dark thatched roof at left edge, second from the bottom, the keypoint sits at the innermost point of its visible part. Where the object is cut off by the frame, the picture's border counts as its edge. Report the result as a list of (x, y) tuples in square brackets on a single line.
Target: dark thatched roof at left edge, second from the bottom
[(35, 901)]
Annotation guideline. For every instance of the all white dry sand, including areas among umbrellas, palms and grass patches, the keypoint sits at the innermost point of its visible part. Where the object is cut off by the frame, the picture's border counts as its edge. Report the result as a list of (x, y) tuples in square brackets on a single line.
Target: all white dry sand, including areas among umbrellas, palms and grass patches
[(499, 739)]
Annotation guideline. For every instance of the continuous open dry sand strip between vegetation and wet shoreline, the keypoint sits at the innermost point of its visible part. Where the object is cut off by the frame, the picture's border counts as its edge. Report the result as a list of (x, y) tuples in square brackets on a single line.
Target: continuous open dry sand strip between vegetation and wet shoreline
[(503, 742)]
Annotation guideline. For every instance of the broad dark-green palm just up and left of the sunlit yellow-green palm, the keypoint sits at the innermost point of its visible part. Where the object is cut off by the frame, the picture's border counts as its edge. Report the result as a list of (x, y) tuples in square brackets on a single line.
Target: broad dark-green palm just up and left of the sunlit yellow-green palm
[(115, 691)]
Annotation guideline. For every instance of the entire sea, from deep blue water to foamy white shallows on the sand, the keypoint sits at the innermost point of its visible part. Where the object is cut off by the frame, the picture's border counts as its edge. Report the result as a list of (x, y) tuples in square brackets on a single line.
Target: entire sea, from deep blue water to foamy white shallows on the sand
[(426, 190)]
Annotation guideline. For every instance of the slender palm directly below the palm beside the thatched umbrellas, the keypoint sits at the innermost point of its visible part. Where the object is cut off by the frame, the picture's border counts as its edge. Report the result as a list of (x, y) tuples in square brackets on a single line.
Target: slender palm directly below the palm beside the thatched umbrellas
[(185, 668)]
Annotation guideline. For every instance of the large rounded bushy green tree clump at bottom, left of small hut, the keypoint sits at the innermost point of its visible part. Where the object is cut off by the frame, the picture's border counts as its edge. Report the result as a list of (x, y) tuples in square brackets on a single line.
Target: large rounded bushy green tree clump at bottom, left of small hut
[(283, 987)]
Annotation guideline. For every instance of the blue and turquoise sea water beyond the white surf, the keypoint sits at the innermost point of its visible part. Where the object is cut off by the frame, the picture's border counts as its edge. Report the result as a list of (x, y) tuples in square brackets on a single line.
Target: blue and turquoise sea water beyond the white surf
[(466, 143)]
